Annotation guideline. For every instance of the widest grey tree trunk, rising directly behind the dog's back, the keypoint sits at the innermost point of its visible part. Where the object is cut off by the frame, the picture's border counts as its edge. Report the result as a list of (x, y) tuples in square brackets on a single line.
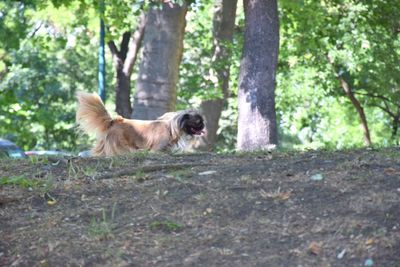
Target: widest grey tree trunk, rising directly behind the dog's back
[(162, 53)]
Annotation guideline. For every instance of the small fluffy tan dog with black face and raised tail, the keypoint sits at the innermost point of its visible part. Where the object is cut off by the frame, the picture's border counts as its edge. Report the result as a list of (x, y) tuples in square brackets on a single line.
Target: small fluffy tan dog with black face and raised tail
[(173, 131)]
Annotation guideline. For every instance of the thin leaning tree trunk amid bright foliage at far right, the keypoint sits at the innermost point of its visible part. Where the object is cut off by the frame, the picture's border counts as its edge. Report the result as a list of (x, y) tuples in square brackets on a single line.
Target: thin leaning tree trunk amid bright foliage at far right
[(360, 110)]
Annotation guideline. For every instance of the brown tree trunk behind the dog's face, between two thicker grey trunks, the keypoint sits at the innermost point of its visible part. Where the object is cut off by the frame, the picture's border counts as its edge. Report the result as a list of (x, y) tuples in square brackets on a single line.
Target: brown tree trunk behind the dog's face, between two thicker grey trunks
[(223, 25)]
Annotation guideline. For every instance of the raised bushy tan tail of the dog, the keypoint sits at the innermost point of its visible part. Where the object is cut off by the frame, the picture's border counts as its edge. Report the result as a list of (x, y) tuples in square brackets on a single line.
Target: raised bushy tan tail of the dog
[(91, 115)]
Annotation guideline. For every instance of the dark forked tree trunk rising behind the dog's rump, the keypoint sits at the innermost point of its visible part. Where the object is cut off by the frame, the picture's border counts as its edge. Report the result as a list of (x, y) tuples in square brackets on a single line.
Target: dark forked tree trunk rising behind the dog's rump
[(124, 60)]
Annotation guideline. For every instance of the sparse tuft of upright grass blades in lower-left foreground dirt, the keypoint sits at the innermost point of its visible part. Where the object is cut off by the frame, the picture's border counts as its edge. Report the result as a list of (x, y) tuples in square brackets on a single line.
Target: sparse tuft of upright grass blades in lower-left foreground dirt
[(102, 229)]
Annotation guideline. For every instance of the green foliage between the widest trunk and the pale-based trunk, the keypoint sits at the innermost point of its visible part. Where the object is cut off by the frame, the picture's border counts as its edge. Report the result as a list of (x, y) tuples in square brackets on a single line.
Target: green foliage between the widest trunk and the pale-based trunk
[(197, 74)]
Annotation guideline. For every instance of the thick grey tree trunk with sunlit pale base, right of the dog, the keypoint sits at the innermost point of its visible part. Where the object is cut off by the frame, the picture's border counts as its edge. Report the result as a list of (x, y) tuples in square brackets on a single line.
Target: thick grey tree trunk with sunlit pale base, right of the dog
[(256, 97)]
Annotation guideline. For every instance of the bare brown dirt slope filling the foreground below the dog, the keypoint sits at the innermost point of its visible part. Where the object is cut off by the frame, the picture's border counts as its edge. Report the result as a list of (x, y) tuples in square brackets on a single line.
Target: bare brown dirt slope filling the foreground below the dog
[(314, 208)]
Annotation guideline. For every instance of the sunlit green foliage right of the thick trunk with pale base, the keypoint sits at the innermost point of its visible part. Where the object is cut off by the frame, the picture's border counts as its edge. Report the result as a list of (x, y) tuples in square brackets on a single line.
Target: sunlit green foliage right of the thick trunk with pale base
[(363, 46)]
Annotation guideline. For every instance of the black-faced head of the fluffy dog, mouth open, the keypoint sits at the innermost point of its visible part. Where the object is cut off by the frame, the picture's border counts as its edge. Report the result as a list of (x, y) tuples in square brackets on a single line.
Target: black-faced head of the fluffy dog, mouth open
[(192, 123)]
